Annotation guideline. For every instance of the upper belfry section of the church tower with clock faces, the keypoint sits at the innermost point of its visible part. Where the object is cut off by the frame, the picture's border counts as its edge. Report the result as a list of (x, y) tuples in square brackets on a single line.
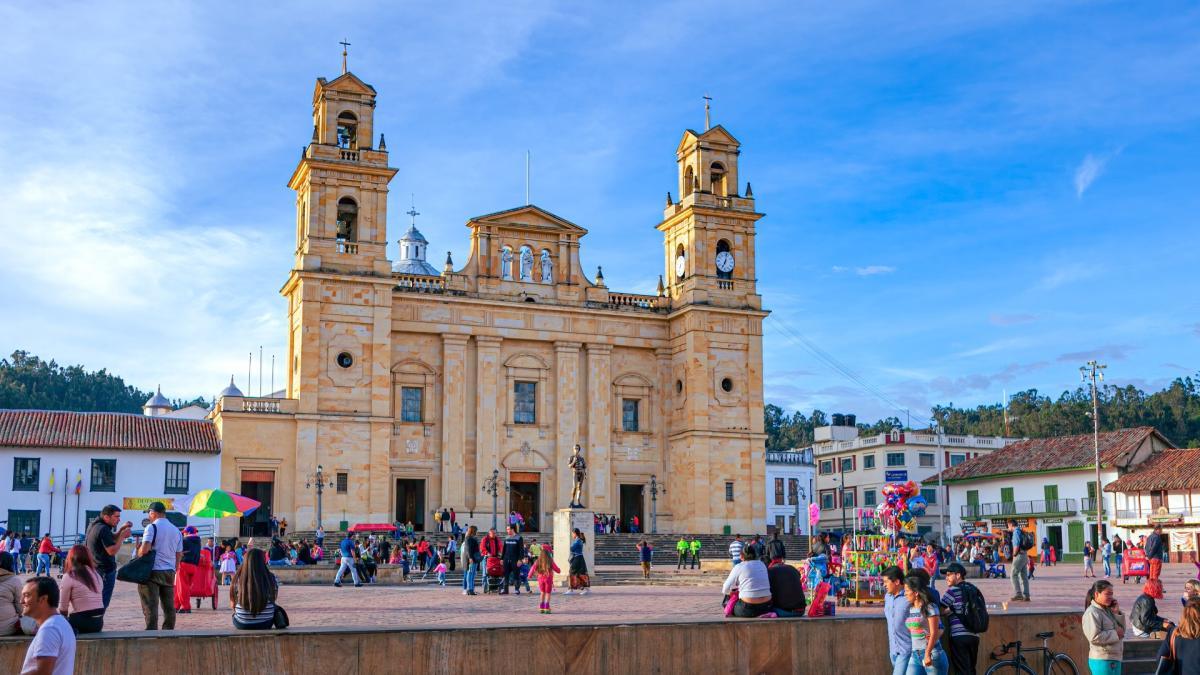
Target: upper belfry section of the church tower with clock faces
[(709, 234)]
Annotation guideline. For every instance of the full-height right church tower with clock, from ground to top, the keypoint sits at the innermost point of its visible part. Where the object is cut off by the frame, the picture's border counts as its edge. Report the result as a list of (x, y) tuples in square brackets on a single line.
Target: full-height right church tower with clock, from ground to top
[(716, 434)]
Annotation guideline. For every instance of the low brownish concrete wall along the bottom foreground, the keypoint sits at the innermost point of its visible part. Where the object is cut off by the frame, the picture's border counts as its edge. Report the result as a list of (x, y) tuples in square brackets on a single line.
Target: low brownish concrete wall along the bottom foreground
[(817, 646)]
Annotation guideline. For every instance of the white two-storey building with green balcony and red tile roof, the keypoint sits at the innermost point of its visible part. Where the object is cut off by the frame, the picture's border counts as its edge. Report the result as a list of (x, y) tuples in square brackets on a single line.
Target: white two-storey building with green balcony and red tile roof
[(1048, 486)]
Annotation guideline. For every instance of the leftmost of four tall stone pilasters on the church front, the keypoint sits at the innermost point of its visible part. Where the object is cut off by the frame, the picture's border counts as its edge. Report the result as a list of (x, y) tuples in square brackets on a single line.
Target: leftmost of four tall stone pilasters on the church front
[(454, 415)]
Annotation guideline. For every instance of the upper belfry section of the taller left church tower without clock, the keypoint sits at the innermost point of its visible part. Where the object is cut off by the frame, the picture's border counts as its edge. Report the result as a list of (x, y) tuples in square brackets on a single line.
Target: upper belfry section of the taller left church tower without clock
[(341, 183)]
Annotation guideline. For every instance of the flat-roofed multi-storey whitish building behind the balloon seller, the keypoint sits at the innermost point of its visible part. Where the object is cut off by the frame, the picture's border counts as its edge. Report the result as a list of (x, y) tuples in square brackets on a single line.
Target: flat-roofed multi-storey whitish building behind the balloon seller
[(853, 470)]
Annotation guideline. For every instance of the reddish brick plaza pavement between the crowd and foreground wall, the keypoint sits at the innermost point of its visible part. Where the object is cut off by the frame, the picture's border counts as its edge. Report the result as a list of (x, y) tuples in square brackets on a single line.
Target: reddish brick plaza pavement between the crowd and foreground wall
[(1060, 588)]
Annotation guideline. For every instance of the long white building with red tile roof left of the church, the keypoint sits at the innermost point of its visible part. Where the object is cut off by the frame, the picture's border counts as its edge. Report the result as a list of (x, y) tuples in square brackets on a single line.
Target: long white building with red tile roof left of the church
[(113, 458)]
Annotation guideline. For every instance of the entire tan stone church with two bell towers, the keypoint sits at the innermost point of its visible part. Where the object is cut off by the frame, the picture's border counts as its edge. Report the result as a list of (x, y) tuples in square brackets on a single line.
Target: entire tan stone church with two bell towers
[(411, 387)]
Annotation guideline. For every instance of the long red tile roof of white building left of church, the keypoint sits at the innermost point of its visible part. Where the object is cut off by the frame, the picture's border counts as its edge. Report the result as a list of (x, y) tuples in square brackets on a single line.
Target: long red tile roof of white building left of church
[(107, 431)]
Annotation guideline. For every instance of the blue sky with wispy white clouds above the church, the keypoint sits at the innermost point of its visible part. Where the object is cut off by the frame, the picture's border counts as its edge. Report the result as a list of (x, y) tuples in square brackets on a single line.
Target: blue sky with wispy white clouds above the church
[(958, 202)]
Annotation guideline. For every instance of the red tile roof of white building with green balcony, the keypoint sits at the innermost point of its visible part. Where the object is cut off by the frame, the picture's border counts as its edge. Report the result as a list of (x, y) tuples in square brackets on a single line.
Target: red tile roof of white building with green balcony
[(1060, 453)]
